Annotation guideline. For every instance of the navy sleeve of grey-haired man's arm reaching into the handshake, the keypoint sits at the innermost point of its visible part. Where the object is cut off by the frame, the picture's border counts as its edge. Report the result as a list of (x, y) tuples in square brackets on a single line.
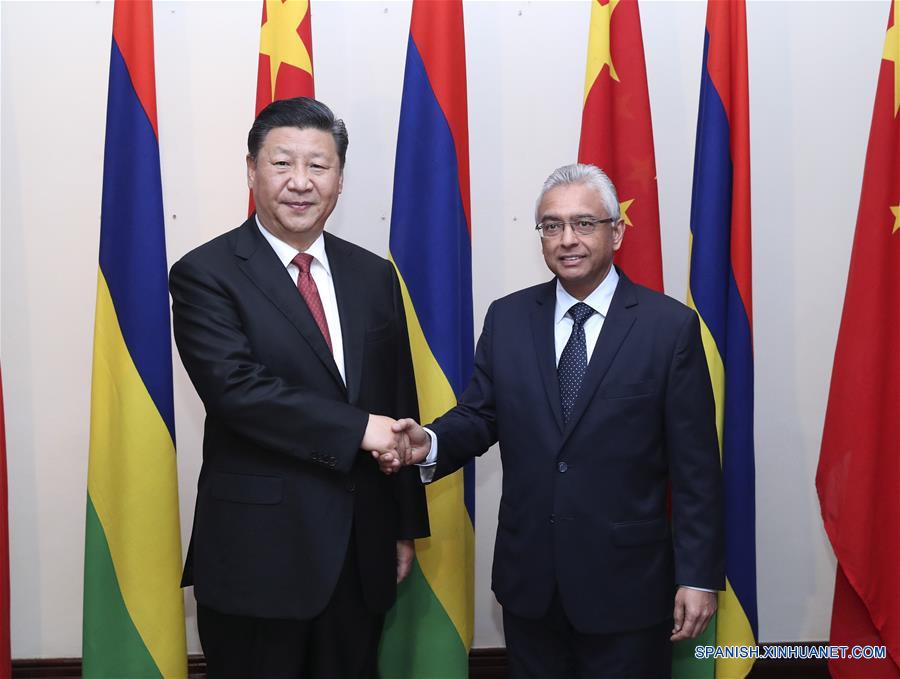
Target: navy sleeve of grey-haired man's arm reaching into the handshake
[(470, 429)]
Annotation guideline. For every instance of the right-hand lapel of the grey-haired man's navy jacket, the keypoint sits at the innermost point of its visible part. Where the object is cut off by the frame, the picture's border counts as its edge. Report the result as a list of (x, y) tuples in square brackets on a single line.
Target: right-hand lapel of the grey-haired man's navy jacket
[(616, 326)]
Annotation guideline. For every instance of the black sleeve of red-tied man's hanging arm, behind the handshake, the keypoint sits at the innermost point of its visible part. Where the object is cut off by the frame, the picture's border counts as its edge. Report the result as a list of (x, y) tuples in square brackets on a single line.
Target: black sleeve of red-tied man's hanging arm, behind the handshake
[(408, 490)]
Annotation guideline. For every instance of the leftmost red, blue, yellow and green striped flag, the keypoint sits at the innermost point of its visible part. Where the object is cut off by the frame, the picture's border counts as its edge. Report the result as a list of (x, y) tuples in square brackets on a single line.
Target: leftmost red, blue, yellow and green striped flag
[(133, 605)]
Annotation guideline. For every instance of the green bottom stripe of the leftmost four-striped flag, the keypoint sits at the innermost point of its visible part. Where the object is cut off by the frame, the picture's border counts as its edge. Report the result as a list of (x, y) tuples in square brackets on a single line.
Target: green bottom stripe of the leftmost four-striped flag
[(111, 644)]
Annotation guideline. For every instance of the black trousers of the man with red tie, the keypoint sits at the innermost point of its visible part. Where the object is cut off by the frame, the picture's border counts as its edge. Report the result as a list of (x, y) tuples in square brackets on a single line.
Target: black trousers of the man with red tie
[(340, 643)]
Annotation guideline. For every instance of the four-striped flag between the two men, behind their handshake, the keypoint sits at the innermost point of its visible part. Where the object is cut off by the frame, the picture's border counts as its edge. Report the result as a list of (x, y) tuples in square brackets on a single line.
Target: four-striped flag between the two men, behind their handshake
[(429, 631)]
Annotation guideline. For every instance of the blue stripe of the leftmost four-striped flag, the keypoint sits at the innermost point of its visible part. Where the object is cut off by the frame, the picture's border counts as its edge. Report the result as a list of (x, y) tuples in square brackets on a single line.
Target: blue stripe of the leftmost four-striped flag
[(132, 237)]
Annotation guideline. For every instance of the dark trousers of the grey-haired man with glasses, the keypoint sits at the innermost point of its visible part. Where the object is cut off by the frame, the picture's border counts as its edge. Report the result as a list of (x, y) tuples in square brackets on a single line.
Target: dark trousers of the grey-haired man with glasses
[(550, 648)]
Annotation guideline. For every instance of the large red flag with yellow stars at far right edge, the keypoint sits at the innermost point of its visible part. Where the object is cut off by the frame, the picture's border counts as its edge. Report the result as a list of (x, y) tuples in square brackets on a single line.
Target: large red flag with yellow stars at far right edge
[(859, 464)]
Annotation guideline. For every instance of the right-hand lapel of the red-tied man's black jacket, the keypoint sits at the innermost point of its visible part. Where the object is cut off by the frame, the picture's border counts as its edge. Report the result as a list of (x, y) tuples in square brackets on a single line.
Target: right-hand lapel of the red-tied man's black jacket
[(351, 309)]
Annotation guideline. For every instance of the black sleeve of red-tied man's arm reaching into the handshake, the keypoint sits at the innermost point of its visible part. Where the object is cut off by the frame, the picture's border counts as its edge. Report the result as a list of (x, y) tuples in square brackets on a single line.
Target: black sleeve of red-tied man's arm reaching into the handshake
[(241, 392)]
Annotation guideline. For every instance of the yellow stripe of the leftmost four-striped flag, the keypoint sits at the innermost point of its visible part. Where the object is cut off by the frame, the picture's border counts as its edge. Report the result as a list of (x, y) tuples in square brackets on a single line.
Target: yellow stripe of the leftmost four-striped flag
[(131, 482)]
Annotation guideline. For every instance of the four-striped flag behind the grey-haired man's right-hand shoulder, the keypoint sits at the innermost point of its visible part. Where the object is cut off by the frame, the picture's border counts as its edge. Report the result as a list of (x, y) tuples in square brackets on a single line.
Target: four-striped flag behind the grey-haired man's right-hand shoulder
[(721, 292)]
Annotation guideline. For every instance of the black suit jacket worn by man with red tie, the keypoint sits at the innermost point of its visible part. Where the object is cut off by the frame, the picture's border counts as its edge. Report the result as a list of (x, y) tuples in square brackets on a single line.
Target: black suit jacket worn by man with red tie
[(283, 478)]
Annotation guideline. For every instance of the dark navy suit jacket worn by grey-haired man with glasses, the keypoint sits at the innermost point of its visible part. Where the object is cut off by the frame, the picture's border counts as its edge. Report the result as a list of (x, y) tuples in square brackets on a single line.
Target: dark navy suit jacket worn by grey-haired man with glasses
[(584, 505)]
